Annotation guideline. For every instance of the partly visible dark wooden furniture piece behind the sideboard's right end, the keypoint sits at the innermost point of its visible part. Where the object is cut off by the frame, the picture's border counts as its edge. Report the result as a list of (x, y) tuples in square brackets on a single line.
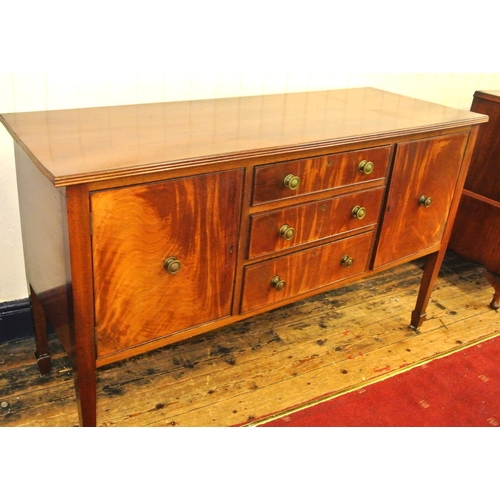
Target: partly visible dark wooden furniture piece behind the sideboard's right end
[(476, 235)]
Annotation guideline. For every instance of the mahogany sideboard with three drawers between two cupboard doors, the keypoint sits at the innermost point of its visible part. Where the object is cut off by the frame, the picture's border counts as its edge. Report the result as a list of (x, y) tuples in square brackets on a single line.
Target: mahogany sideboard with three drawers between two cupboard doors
[(147, 224)]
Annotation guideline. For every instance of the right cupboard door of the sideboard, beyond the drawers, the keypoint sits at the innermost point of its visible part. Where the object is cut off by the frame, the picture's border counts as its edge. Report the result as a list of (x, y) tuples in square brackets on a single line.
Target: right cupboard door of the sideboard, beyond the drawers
[(424, 176)]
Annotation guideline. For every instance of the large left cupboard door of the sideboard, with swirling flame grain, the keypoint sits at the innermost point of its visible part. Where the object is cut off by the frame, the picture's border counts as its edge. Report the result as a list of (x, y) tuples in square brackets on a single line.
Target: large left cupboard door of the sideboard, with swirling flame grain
[(164, 257)]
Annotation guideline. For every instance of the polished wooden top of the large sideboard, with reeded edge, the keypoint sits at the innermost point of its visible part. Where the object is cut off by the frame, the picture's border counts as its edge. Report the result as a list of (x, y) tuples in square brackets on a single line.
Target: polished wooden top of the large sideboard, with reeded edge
[(80, 145)]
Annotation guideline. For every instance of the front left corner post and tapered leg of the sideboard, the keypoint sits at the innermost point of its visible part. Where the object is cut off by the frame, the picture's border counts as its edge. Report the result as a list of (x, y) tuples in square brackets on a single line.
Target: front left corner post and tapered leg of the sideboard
[(83, 304)]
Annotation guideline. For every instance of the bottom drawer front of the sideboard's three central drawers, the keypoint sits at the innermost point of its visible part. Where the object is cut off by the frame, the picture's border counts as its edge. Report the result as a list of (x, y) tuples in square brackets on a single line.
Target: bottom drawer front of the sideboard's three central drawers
[(278, 279)]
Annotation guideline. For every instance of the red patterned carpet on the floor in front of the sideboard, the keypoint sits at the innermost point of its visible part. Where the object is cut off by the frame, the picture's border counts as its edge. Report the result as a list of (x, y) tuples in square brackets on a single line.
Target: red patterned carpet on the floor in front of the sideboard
[(459, 390)]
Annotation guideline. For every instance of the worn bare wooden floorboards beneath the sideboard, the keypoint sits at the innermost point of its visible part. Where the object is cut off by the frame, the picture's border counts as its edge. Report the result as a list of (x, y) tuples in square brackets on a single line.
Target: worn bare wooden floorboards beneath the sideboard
[(326, 345)]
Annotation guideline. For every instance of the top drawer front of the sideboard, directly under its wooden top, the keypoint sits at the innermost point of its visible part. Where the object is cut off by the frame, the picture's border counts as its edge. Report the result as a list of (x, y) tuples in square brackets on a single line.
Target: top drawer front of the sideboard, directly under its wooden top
[(279, 180)]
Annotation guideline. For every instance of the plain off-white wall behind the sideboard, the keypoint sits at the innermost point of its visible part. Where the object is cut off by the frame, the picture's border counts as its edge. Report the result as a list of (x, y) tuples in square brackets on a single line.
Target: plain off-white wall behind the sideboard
[(98, 55)]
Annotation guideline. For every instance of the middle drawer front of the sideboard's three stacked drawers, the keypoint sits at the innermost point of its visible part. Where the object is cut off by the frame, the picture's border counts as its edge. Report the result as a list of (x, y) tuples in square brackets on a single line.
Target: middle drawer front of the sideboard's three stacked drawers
[(294, 226)]
